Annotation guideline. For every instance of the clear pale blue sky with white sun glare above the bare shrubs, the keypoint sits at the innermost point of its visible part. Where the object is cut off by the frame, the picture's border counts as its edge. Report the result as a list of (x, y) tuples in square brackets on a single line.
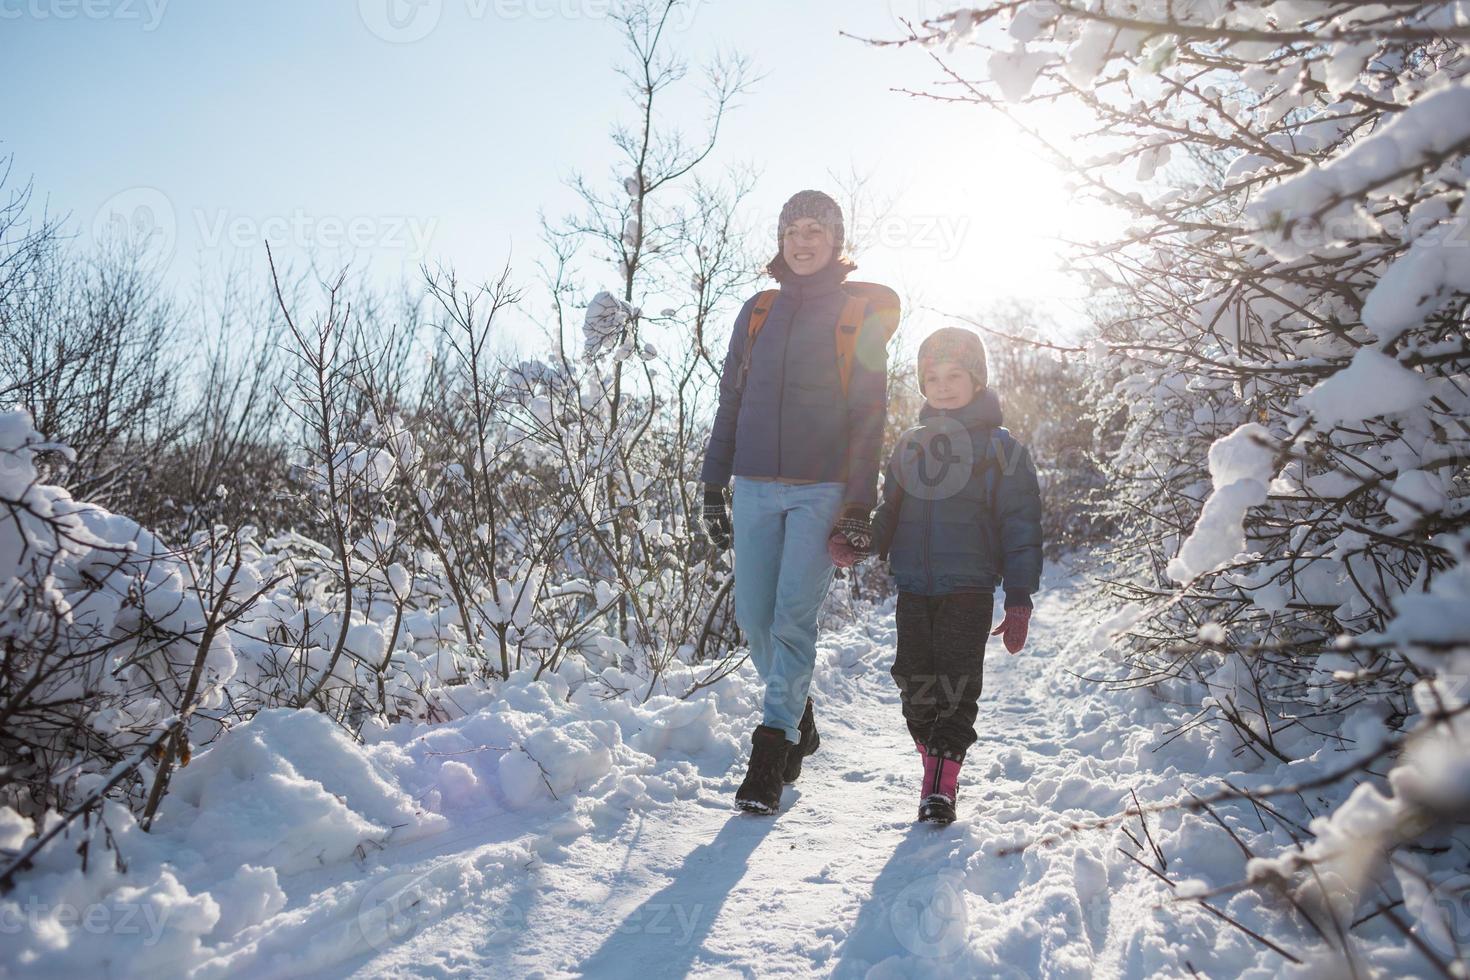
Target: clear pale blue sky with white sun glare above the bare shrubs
[(439, 136)]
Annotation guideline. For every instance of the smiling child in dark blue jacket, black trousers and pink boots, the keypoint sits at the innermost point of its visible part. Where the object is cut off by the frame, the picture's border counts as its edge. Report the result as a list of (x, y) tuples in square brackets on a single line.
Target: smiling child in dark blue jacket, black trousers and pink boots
[(961, 514)]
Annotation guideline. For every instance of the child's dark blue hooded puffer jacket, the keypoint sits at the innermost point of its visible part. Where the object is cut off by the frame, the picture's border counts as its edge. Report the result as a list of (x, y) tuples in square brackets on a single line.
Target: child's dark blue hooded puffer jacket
[(962, 518)]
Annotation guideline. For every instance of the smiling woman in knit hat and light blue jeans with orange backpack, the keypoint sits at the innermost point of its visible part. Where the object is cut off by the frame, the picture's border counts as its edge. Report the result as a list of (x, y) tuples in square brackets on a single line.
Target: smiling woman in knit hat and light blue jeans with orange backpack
[(802, 447)]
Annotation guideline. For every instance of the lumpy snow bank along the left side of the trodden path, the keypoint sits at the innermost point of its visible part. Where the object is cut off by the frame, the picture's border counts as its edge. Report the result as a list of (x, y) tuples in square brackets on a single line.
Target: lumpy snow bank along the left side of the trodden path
[(290, 794)]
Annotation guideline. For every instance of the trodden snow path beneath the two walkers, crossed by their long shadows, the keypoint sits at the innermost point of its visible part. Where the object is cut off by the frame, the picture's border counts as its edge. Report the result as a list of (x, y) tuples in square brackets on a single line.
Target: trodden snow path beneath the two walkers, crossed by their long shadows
[(840, 882)]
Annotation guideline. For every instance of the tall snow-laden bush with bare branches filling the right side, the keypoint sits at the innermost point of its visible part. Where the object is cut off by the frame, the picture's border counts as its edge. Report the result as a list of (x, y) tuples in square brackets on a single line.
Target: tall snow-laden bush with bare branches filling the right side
[(1283, 371)]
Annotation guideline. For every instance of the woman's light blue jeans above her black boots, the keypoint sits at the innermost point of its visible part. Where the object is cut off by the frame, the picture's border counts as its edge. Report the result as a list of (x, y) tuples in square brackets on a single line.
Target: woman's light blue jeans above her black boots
[(783, 574)]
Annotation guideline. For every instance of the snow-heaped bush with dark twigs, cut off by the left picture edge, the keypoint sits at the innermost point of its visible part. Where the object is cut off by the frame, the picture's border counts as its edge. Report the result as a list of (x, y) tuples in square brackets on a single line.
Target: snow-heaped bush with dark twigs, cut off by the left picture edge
[(115, 649)]
